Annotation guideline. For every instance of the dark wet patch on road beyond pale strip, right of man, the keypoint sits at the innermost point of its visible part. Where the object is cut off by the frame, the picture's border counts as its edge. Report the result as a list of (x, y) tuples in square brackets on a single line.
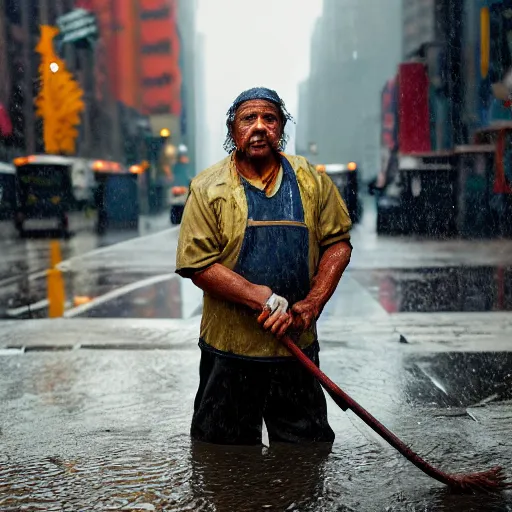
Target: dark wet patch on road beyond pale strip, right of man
[(440, 289)]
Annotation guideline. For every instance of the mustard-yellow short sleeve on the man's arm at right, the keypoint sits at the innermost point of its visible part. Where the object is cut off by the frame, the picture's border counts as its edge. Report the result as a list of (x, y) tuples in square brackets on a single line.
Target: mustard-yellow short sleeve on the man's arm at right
[(334, 222)]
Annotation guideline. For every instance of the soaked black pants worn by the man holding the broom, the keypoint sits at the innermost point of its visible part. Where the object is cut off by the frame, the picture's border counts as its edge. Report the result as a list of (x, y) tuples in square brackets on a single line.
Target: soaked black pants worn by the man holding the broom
[(234, 396)]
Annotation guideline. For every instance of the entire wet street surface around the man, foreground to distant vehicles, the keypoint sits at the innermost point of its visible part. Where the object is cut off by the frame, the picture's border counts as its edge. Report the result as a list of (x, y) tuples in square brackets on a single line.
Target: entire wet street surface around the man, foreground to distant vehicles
[(97, 405)]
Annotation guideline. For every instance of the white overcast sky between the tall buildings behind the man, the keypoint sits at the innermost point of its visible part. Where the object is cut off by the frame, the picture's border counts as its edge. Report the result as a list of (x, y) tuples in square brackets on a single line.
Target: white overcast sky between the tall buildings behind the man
[(250, 43)]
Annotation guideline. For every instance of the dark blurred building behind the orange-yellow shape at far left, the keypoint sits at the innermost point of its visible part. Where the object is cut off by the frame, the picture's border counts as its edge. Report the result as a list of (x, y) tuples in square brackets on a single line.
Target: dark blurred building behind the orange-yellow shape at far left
[(19, 66)]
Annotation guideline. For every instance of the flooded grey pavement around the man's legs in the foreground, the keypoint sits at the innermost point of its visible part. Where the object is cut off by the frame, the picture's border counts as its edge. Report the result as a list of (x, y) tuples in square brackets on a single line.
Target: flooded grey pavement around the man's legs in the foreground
[(103, 423)]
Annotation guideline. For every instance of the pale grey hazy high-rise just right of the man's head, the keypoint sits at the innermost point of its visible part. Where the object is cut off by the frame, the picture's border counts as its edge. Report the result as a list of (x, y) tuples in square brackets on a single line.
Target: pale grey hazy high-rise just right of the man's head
[(354, 49)]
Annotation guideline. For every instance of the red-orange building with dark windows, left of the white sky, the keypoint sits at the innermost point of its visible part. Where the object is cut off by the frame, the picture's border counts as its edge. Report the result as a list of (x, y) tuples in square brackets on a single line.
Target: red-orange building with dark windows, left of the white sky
[(149, 58)]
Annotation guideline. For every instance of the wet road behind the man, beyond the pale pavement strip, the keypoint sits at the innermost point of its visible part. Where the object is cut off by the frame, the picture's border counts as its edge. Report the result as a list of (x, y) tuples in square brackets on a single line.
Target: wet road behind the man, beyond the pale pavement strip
[(444, 278)]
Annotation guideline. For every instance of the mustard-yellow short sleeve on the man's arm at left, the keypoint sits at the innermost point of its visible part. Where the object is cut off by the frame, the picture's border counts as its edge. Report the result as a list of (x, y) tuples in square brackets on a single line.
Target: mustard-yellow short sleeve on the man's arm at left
[(198, 244)]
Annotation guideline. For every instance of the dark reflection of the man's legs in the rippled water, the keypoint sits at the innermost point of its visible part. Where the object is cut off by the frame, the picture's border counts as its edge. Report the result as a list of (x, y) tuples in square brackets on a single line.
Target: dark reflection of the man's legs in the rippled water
[(287, 477)]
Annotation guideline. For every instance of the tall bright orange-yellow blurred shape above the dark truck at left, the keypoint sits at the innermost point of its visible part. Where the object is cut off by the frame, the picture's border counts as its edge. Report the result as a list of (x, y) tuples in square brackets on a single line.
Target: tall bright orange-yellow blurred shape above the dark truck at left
[(59, 102)]
